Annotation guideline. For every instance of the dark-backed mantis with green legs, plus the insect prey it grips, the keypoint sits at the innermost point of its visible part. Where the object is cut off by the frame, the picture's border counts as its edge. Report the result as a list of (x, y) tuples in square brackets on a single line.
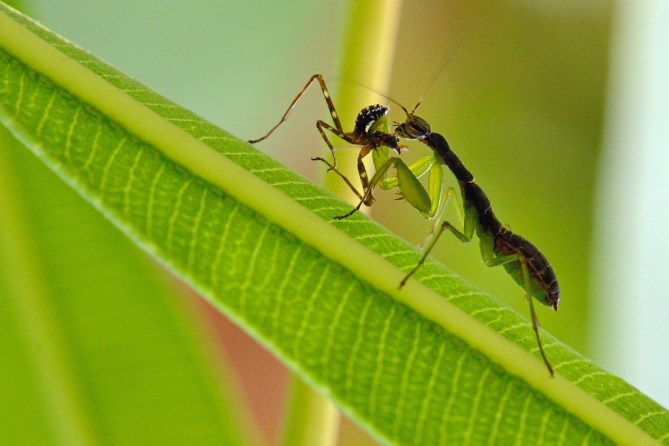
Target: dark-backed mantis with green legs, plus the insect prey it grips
[(499, 245)]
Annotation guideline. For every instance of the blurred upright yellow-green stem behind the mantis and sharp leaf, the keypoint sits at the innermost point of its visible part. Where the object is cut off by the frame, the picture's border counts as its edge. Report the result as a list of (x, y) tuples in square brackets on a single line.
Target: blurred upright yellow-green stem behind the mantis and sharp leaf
[(366, 59)]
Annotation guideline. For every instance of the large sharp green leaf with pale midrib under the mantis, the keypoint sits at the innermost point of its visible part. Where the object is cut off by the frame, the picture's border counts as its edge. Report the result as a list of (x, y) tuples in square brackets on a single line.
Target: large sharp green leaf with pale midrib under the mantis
[(435, 363)]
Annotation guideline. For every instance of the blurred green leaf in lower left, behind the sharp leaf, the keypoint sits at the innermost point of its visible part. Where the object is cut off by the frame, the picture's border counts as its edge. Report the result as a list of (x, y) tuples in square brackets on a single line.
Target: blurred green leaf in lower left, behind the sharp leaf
[(94, 346)]
